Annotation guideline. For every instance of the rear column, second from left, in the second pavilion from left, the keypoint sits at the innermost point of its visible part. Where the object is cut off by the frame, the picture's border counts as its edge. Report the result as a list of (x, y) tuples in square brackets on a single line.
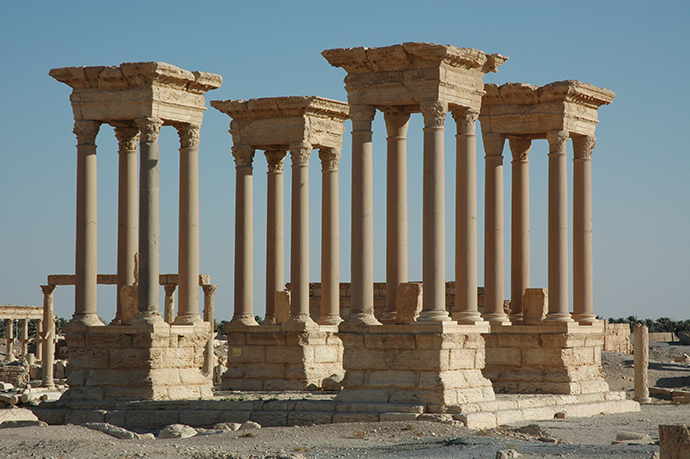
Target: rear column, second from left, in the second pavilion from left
[(275, 232)]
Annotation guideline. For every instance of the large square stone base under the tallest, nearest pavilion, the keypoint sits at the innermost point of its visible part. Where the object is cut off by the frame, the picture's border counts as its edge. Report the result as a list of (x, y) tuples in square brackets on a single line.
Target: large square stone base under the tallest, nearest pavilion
[(434, 364)]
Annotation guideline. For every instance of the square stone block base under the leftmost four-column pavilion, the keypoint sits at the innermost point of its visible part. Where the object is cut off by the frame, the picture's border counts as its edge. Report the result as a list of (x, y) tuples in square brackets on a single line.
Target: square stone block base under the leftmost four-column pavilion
[(142, 361)]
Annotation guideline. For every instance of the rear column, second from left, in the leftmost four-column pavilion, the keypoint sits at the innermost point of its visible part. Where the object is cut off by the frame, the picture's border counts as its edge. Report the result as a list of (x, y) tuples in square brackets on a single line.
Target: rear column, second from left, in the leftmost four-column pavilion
[(126, 211)]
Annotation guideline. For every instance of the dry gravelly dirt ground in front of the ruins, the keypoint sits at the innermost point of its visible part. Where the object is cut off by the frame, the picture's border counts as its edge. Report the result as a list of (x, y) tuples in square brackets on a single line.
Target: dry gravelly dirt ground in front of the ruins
[(574, 437)]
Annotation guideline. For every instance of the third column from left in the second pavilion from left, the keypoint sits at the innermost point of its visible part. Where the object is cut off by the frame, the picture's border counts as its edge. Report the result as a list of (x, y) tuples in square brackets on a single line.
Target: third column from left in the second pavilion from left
[(299, 243)]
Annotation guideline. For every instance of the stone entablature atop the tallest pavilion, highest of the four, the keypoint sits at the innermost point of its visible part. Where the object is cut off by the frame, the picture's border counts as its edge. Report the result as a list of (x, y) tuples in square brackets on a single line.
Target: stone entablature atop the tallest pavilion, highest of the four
[(410, 73)]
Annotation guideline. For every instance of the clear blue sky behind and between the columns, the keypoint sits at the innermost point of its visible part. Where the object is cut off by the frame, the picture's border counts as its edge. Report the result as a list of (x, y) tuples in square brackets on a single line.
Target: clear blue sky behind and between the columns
[(641, 165)]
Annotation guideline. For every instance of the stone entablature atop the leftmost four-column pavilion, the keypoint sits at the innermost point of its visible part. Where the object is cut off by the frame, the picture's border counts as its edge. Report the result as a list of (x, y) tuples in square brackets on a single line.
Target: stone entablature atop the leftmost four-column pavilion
[(135, 90)]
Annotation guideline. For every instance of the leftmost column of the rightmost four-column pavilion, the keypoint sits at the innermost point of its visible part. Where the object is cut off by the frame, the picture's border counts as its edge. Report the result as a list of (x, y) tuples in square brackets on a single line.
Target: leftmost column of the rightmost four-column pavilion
[(493, 231)]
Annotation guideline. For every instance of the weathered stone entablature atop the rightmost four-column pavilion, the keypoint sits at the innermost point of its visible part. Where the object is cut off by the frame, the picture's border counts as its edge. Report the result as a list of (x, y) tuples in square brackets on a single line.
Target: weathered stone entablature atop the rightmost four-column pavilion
[(530, 111)]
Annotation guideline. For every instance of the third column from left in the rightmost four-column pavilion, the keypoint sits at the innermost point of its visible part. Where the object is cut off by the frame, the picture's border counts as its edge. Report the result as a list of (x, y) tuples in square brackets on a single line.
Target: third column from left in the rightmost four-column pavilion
[(558, 227)]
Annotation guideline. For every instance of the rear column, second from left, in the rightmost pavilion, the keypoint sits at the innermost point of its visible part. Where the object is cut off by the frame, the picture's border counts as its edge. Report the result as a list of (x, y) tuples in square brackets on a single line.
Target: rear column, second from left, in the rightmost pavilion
[(519, 243)]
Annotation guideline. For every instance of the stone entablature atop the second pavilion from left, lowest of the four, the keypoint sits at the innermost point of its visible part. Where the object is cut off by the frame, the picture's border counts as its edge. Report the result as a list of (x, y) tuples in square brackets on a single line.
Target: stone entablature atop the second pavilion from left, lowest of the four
[(275, 122)]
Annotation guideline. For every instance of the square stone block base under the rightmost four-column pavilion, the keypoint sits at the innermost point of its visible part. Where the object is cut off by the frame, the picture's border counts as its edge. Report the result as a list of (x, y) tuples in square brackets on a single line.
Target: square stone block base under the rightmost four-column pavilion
[(549, 358)]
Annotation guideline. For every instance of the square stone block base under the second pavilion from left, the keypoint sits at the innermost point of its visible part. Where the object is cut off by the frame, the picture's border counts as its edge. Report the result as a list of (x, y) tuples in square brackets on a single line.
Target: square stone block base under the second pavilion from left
[(268, 357)]
